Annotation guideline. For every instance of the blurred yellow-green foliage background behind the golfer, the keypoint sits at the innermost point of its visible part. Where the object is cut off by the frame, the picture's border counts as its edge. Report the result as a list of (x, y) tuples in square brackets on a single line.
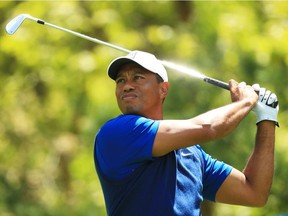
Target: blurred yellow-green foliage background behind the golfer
[(55, 95)]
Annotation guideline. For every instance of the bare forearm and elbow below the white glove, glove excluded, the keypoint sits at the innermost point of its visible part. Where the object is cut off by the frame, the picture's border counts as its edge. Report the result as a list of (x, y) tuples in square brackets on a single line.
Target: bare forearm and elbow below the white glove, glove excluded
[(252, 186)]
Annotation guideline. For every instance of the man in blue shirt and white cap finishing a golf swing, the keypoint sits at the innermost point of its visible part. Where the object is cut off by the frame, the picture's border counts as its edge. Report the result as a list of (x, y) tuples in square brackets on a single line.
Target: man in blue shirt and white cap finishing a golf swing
[(150, 166)]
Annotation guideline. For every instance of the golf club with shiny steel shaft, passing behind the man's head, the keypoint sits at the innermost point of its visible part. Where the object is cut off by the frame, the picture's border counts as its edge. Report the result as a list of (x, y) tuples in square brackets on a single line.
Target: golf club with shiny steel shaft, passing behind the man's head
[(15, 23)]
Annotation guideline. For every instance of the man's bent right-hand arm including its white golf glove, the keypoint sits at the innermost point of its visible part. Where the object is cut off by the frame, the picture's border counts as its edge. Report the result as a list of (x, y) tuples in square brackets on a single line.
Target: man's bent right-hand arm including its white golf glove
[(252, 186)]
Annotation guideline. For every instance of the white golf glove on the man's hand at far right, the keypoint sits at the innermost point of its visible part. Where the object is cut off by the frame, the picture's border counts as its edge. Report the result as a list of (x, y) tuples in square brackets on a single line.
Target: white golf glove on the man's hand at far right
[(267, 106)]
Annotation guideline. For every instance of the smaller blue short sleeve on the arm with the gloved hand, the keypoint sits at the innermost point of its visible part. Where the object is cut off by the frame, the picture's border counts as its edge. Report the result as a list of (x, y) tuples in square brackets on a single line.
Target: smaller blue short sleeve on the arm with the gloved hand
[(215, 173)]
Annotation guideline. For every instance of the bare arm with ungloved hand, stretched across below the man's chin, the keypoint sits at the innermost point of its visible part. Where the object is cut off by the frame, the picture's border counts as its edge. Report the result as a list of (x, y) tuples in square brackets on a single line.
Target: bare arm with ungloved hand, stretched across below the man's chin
[(212, 125)]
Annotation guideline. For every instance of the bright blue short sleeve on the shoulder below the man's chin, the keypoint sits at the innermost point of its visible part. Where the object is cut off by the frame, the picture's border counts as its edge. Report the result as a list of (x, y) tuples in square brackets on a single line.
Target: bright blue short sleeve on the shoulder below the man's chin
[(124, 143)]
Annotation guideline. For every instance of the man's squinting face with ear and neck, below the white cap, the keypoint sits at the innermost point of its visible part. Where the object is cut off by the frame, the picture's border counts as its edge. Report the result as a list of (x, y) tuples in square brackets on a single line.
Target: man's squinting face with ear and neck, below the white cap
[(138, 91)]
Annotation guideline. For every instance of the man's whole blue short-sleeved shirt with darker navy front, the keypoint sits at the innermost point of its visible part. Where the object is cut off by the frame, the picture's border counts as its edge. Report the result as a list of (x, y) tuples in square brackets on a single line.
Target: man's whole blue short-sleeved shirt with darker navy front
[(135, 183)]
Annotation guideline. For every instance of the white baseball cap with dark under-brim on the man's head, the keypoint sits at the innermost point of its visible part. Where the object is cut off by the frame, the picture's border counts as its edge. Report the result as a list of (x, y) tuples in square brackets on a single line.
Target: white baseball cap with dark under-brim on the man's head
[(144, 59)]
